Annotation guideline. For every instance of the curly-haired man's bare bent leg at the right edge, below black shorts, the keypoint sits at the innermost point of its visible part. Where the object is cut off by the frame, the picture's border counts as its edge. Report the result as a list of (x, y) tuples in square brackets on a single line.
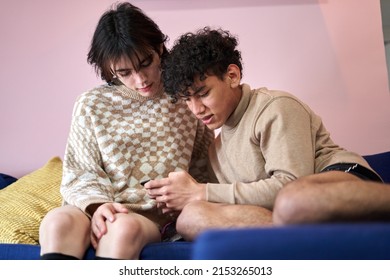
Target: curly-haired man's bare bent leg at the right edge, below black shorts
[(331, 196)]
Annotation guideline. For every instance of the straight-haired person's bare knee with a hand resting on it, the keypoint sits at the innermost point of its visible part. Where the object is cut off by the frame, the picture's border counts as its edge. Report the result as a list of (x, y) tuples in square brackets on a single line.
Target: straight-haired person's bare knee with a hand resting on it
[(126, 237)]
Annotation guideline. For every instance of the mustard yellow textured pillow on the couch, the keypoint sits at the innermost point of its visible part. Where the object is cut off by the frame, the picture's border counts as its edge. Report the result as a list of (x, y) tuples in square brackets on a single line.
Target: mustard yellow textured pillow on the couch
[(24, 203)]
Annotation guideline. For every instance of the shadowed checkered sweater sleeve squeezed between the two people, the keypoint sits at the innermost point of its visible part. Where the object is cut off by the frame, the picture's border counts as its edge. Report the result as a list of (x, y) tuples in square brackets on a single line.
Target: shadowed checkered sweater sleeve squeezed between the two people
[(199, 165)]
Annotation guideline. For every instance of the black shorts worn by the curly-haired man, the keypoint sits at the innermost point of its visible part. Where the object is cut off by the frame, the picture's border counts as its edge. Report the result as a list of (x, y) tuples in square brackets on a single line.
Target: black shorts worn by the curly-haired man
[(355, 169)]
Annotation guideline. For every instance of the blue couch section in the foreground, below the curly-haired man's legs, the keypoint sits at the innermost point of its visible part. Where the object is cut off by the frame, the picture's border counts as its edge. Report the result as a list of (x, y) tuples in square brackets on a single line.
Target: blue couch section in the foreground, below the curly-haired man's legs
[(354, 241)]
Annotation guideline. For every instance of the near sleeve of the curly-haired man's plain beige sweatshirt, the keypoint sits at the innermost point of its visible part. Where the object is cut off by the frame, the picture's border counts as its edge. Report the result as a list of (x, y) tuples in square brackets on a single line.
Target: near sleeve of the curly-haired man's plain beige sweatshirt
[(283, 134)]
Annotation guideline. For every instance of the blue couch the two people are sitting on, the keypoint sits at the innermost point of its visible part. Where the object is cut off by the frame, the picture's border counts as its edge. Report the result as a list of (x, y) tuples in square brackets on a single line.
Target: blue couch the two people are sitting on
[(304, 242)]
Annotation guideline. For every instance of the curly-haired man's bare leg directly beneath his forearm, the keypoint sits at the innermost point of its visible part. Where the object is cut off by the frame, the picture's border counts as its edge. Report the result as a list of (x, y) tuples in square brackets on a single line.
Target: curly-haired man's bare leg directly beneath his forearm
[(199, 216)]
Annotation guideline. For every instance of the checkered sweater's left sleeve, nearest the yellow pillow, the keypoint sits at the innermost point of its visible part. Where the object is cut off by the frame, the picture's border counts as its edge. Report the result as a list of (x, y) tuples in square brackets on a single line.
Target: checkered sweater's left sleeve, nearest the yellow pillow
[(84, 180)]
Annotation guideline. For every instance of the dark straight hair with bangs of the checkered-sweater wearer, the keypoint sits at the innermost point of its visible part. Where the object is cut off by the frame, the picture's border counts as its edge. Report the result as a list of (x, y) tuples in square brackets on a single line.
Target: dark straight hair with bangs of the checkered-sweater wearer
[(124, 30)]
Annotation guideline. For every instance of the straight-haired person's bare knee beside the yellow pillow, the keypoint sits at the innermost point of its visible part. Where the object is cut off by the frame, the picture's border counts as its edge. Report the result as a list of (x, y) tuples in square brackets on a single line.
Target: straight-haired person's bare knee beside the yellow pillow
[(65, 230)]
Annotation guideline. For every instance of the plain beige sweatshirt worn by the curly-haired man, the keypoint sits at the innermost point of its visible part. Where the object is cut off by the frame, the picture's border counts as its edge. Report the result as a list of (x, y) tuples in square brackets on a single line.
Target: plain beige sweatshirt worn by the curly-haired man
[(270, 139)]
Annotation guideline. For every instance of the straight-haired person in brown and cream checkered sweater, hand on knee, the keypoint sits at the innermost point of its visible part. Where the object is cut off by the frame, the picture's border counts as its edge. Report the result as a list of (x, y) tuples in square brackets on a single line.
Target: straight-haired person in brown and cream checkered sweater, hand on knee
[(122, 133)]
